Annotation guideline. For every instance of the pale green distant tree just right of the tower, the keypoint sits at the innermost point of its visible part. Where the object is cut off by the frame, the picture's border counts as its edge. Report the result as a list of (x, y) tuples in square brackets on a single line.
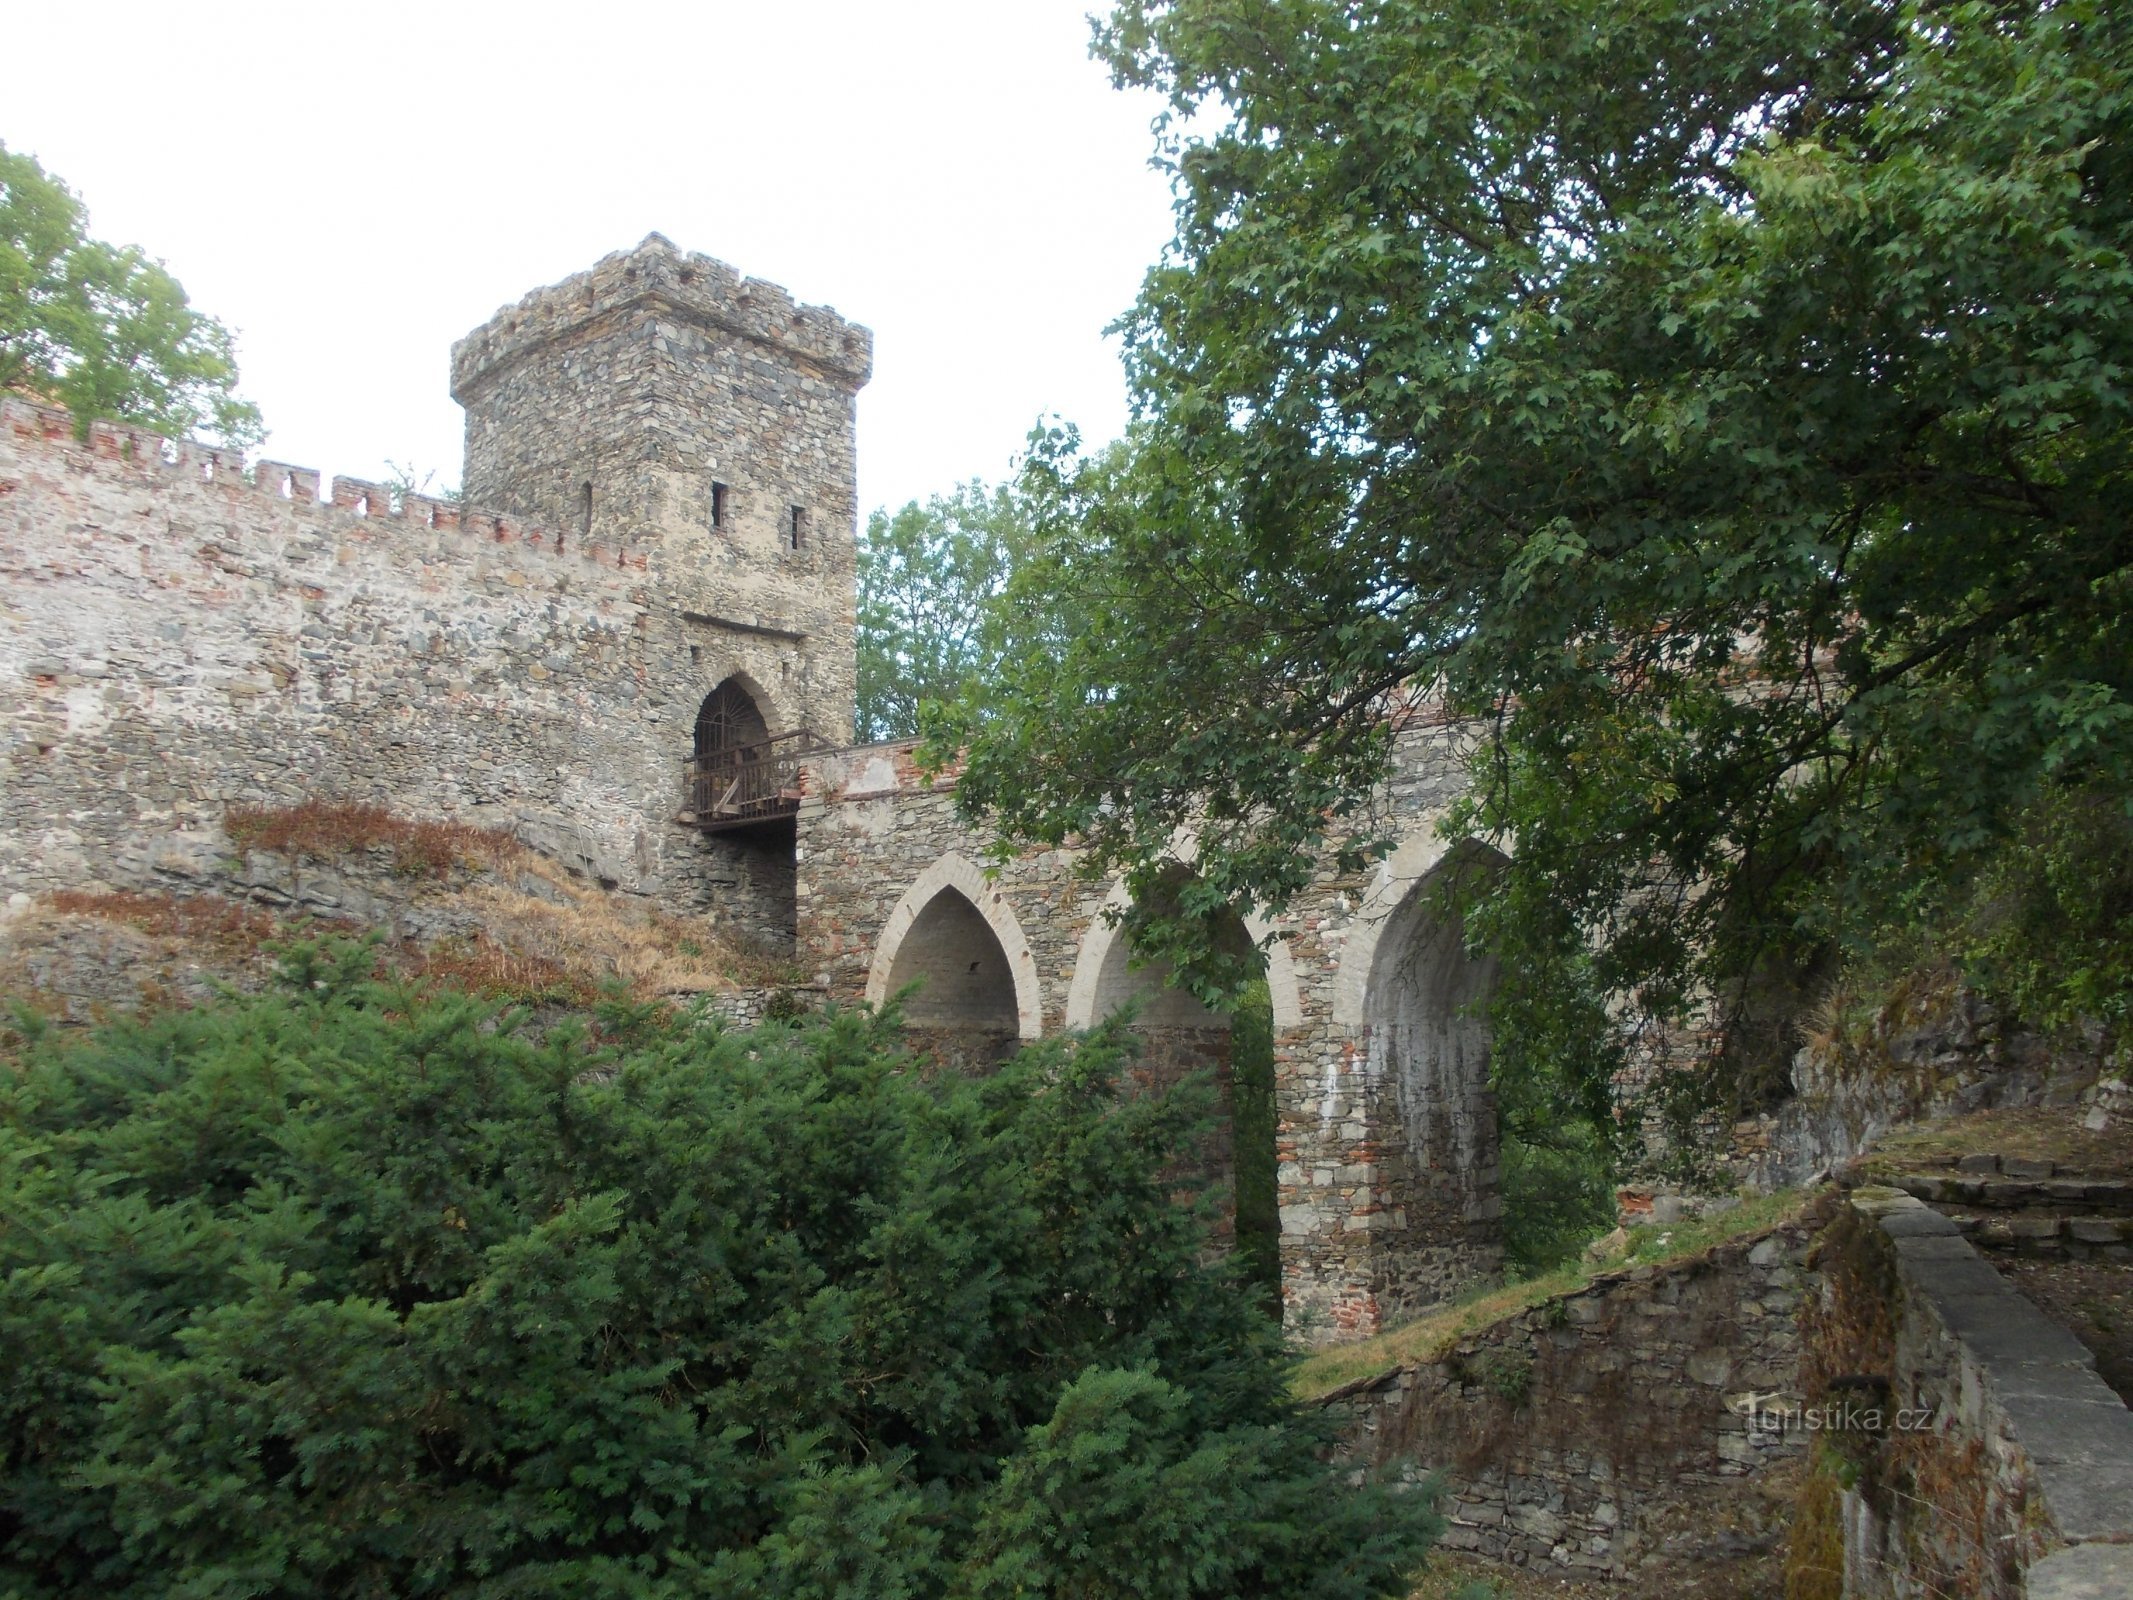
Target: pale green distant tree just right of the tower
[(927, 577)]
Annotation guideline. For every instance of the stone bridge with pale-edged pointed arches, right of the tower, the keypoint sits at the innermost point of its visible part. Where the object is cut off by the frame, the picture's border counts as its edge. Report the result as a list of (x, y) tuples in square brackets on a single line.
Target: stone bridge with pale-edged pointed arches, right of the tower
[(1385, 1147)]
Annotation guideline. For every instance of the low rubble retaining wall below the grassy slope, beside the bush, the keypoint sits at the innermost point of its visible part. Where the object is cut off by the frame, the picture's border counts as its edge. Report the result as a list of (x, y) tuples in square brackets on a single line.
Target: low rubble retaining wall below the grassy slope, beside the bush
[(1571, 1433)]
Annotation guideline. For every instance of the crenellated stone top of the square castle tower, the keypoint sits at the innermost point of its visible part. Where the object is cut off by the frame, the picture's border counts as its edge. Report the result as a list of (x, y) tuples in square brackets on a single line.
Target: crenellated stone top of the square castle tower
[(688, 287)]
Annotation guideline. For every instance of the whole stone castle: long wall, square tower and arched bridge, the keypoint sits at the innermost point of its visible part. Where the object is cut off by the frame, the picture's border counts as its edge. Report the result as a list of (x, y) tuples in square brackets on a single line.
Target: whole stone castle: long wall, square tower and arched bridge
[(182, 637)]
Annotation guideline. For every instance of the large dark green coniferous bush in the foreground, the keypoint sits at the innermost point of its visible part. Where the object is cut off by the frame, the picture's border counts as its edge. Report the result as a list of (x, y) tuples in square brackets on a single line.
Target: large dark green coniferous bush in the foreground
[(362, 1290)]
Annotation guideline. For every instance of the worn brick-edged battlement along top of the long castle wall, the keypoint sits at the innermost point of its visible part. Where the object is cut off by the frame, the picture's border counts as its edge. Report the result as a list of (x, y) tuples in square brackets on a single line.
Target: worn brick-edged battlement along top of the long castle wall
[(146, 453)]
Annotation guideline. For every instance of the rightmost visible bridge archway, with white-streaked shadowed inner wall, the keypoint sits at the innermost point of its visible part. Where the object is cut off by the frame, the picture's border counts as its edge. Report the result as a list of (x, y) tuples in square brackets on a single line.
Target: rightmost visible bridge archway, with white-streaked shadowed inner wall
[(1430, 1046)]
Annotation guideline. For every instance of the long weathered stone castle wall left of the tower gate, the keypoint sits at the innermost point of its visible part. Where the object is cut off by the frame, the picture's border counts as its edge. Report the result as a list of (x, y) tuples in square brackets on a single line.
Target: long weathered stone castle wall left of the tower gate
[(180, 639)]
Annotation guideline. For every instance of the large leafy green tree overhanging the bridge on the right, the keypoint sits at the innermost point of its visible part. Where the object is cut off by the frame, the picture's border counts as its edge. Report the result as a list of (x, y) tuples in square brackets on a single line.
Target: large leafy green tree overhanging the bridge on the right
[(1727, 406)]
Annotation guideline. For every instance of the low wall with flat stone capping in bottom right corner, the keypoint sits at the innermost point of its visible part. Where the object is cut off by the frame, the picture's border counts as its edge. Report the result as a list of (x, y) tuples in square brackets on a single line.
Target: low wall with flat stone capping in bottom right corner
[(1978, 1450)]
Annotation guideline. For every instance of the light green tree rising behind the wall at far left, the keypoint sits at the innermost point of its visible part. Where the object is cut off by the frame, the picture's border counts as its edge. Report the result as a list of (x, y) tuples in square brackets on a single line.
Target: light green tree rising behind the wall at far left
[(103, 330)]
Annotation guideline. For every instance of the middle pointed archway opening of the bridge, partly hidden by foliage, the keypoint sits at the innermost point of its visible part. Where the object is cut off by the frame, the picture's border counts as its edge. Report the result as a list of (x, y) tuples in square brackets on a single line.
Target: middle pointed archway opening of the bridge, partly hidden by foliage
[(1234, 1046)]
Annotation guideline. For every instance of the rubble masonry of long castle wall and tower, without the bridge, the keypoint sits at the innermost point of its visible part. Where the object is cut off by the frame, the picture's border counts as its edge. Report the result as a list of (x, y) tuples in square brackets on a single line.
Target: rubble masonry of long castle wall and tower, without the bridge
[(180, 637)]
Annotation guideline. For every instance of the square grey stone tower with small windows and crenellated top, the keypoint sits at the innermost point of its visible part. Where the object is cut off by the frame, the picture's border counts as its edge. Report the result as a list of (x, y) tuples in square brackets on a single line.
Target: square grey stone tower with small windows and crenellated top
[(671, 411)]
